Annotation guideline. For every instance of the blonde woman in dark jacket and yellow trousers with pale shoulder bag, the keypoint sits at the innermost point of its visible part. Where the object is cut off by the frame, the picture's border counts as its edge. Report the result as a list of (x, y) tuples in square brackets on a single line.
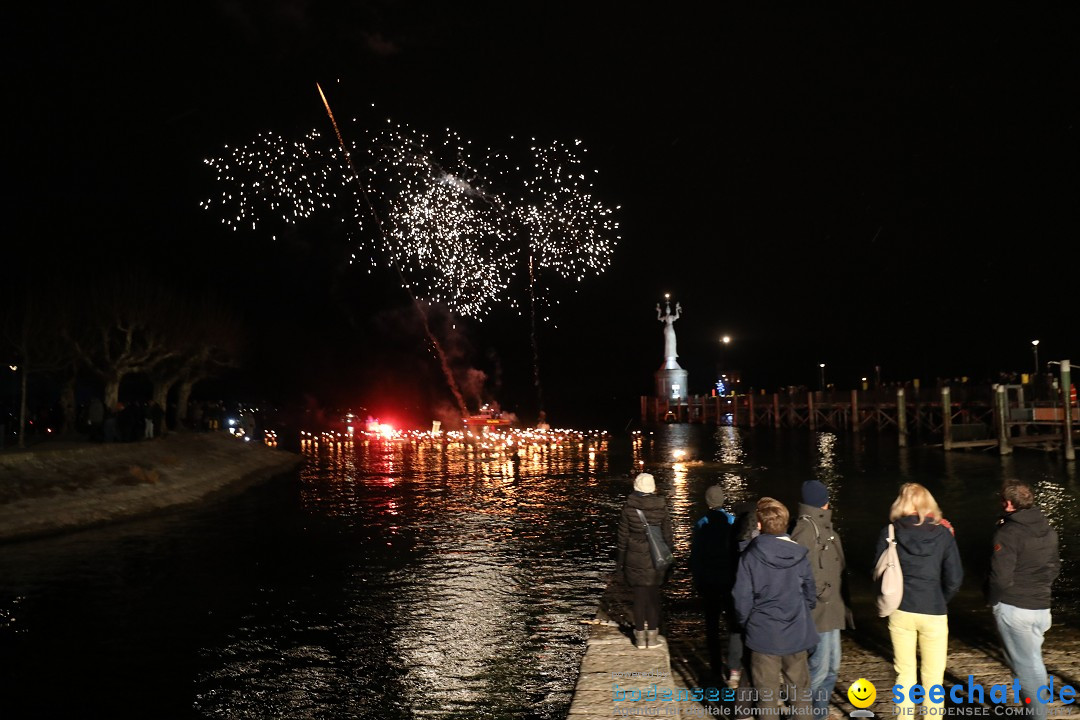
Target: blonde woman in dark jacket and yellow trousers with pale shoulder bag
[(933, 576)]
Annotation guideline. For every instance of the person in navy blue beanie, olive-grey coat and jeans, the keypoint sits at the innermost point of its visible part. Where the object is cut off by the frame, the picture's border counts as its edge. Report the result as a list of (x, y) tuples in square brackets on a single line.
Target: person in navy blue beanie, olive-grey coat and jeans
[(814, 531)]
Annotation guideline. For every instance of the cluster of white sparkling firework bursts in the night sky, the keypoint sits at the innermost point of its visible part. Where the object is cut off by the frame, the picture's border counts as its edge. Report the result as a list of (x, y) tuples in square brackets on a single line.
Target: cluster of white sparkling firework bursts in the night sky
[(460, 227)]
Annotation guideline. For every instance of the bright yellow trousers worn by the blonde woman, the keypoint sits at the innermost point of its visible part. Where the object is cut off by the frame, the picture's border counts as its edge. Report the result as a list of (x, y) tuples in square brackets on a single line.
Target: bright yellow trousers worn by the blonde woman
[(929, 635)]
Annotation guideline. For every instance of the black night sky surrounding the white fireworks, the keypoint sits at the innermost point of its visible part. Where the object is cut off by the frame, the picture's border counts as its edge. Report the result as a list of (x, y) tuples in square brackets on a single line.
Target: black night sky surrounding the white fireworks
[(848, 185)]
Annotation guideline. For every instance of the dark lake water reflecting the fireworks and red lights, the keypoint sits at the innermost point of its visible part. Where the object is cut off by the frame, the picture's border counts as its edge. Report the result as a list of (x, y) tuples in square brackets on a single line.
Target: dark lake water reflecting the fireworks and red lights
[(407, 580)]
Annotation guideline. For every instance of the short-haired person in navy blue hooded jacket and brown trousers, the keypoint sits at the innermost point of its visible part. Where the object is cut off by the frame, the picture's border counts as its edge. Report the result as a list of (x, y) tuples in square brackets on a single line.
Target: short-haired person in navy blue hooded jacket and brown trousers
[(774, 596)]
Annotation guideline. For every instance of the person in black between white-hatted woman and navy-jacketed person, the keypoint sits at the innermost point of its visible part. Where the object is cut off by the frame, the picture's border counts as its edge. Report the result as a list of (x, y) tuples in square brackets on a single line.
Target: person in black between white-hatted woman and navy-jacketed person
[(714, 555)]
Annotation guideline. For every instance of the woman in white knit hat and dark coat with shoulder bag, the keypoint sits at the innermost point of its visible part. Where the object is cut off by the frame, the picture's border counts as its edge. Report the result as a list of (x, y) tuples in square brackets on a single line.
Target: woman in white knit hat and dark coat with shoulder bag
[(636, 561)]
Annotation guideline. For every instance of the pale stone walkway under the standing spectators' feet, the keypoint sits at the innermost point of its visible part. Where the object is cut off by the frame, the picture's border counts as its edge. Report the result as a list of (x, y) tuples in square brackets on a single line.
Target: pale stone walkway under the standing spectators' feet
[(614, 672)]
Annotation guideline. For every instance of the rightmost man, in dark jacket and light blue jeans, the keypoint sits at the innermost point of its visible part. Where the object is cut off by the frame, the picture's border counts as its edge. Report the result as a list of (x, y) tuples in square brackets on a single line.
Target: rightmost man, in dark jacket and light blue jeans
[(1023, 568)]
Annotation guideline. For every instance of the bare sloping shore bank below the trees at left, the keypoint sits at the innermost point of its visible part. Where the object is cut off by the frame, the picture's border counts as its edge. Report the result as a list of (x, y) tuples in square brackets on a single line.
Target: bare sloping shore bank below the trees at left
[(49, 492)]
